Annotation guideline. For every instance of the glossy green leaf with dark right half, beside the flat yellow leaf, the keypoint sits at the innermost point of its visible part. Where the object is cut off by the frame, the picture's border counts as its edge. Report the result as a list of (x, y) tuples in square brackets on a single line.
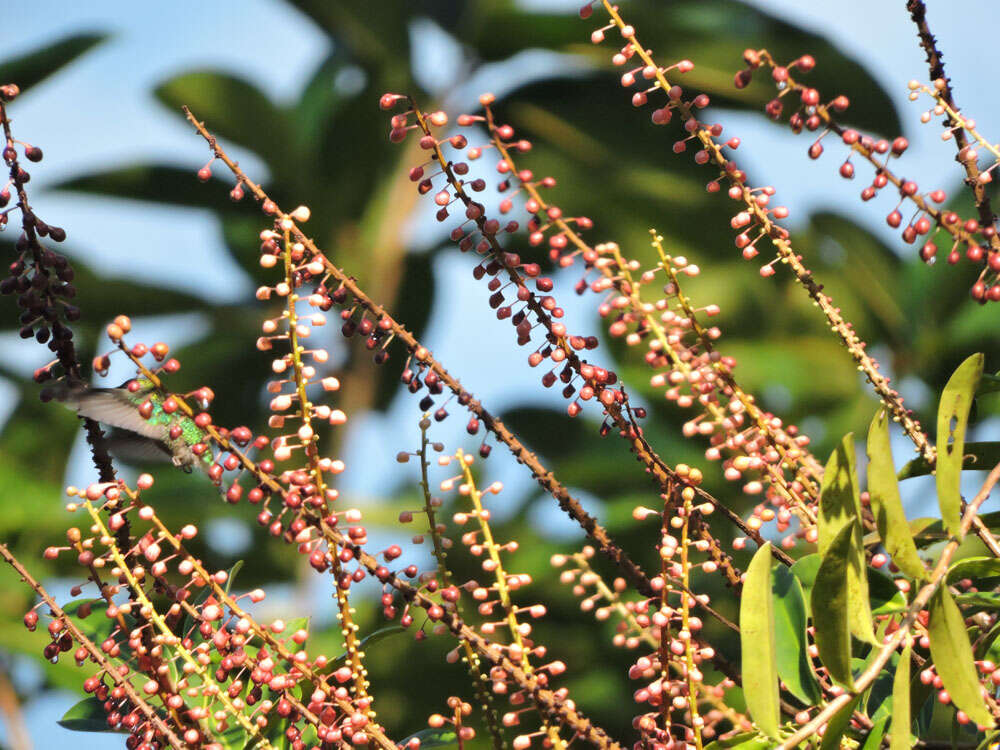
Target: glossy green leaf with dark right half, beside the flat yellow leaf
[(793, 663)]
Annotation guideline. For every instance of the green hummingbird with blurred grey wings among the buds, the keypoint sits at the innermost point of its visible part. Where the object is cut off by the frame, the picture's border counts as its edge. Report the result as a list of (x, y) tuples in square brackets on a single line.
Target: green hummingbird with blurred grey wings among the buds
[(143, 430)]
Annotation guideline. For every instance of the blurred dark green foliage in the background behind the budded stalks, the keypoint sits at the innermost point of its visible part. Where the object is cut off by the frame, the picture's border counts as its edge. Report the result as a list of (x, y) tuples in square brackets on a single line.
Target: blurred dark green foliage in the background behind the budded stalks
[(329, 150)]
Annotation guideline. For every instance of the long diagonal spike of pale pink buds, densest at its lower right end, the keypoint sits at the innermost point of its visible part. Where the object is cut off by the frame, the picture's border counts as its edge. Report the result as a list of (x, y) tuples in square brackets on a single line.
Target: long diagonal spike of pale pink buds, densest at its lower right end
[(697, 375)]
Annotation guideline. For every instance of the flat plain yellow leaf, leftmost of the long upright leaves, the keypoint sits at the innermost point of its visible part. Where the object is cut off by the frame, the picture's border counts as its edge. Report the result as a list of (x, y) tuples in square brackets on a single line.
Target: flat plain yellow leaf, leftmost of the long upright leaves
[(757, 642)]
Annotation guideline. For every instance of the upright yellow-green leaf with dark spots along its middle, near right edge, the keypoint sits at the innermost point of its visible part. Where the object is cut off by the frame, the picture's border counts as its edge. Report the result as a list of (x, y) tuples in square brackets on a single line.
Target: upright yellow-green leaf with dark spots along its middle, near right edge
[(953, 418)]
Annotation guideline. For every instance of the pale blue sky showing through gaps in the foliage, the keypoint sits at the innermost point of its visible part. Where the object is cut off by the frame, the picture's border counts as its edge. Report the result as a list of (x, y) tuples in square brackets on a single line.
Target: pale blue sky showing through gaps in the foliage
[(100, 113)]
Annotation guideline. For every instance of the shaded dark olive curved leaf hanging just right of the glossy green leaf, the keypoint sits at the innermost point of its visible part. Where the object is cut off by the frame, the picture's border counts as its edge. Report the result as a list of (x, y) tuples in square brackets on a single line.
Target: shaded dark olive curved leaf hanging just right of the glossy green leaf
[(830, 608)]
